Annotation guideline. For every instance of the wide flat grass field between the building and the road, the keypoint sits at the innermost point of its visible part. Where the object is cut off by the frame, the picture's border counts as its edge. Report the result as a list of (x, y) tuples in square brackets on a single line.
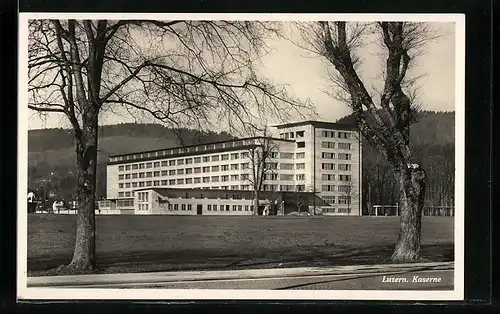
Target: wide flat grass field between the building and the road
[(162, 243)]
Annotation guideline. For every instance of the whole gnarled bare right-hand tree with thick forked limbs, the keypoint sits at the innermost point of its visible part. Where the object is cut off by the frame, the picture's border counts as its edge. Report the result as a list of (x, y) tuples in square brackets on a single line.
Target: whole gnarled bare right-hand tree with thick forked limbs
[(383, 114)]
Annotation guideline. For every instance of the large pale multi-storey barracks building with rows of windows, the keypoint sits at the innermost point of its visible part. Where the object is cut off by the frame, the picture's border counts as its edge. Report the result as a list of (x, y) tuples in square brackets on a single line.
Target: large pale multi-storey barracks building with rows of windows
[(312, 158)]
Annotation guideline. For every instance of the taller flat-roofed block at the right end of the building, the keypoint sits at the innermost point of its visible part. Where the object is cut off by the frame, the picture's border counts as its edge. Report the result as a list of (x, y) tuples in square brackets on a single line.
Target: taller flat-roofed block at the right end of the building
[(328, 162)]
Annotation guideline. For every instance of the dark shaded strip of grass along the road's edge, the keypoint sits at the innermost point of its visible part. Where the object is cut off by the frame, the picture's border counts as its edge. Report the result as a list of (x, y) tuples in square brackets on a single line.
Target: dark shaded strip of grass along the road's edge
[(222, 259)]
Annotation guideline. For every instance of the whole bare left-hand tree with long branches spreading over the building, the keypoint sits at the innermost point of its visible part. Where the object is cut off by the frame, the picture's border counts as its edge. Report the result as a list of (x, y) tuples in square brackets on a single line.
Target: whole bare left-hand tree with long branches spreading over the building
[(180, 72)]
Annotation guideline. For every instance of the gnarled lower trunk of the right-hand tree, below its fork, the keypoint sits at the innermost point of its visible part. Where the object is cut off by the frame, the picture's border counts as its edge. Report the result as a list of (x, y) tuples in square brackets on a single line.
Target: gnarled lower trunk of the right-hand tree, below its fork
[(412, 189)]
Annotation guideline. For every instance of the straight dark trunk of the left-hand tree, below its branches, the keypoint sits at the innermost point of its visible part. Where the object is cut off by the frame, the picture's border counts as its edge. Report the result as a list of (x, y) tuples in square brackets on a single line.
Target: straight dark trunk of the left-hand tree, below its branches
[(86, 151)]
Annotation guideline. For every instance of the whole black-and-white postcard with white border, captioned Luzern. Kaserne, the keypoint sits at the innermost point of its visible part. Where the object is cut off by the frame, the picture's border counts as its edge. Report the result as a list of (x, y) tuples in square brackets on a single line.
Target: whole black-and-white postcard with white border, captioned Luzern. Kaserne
[(241, 156)]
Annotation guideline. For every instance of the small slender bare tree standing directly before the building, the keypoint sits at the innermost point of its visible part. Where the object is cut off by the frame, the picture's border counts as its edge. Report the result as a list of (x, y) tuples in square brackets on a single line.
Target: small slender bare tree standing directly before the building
[(261, 166)]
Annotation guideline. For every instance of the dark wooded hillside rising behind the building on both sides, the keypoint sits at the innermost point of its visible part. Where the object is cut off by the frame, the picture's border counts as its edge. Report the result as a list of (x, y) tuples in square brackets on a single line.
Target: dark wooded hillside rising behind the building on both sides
[(52, 163)]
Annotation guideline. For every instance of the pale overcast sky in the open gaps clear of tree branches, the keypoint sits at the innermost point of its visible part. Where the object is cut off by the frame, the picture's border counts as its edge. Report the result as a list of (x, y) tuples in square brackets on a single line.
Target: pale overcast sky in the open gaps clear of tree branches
[(306, 77)]
